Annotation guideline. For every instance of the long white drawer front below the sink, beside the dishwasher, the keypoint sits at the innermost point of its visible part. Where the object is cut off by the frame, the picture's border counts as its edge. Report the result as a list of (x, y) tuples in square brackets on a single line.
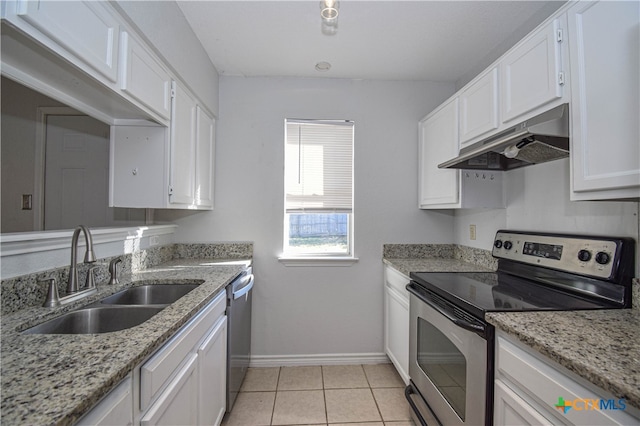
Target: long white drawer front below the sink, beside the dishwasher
[(161, 367)]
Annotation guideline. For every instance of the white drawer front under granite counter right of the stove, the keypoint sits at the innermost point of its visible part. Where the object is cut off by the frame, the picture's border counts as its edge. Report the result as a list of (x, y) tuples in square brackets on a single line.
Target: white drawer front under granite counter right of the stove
[(546, 384)]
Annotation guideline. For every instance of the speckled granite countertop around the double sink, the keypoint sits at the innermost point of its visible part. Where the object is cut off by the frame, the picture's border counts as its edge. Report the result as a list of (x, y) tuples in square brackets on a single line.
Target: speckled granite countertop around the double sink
[(55, 379)]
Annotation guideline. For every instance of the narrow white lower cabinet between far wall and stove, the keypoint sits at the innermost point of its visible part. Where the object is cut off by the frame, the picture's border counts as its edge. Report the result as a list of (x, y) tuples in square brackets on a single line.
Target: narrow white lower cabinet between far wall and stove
[(396, 320)]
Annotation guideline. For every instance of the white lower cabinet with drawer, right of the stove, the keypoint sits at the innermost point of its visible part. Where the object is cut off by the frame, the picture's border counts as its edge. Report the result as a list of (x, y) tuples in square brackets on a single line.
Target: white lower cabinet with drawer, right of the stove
[(532, 390)]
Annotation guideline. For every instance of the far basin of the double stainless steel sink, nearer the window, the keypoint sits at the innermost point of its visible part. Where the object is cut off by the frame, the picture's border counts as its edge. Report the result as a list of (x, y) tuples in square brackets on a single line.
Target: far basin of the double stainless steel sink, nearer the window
[(158, 294)]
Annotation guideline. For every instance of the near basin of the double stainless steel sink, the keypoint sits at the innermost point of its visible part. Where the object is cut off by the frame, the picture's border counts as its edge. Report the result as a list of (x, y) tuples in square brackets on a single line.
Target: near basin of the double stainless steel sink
[(96, 320)]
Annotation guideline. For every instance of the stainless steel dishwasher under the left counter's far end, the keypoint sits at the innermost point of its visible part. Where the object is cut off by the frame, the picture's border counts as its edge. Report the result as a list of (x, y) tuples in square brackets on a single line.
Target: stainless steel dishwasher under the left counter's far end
[(238, 332)]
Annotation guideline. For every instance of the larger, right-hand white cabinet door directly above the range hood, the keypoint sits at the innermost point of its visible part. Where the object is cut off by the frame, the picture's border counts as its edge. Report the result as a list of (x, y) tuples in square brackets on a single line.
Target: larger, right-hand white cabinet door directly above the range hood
[(530, 73)]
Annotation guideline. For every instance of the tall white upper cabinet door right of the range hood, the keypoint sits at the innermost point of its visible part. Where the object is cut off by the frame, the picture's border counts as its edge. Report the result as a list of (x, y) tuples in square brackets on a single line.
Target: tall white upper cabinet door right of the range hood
[(604, 54)]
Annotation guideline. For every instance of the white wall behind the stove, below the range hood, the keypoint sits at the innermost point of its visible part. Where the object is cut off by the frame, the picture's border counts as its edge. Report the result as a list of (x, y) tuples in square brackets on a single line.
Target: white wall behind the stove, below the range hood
[(538, 200)]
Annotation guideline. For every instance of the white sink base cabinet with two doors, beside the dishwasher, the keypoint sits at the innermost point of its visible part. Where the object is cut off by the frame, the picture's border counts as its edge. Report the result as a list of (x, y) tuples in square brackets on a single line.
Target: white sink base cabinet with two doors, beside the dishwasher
[(184, 382)]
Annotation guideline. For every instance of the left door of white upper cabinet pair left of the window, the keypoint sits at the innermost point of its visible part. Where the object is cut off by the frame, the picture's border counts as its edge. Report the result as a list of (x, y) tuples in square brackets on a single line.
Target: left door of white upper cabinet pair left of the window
[(183, 125)]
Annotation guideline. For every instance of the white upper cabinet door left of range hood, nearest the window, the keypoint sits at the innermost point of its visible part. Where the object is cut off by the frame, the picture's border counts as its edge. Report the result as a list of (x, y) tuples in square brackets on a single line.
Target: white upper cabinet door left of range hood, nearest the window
[(439, 188)]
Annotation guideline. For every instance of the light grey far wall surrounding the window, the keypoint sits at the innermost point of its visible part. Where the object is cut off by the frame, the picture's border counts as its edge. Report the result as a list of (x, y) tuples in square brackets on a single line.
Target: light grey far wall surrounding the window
[(318, 310)]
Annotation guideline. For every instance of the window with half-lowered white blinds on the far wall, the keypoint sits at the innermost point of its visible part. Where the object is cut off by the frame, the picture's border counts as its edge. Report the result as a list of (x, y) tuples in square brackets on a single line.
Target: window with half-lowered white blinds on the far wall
[(318, 218)]
